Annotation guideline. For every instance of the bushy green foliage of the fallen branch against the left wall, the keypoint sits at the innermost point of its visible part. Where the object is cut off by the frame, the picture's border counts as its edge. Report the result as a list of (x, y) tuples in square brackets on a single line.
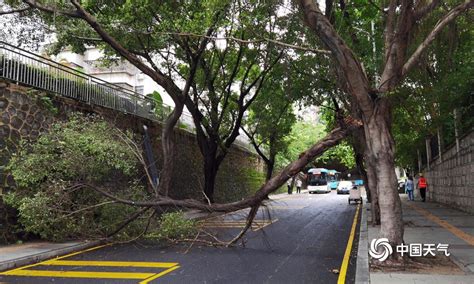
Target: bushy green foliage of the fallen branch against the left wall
[(47, 173)]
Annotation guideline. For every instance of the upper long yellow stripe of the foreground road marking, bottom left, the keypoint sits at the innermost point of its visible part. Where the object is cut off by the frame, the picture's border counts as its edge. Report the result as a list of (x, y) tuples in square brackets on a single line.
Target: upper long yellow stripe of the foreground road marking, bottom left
[(110, 263)]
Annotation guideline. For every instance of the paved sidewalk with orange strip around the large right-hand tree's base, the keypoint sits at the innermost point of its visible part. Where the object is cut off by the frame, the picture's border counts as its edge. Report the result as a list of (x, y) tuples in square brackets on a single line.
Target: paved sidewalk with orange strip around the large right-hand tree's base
[(430, 223)]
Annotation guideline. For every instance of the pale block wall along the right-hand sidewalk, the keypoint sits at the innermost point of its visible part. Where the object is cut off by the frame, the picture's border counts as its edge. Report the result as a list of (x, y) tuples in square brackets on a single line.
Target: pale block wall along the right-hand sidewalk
[(451, 181)]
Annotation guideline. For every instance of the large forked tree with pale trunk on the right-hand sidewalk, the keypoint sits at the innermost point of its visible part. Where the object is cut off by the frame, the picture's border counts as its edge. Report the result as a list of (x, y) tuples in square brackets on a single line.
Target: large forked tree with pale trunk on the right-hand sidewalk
[(403, 46)]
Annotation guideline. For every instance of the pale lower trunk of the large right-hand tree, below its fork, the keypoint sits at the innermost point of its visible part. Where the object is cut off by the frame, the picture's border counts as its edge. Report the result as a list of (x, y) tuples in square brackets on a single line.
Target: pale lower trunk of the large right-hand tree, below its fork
[(380, 146)]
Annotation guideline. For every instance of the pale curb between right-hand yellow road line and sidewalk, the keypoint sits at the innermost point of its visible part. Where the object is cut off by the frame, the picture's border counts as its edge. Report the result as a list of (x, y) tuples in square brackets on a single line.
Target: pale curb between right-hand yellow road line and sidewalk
[(362, 266)]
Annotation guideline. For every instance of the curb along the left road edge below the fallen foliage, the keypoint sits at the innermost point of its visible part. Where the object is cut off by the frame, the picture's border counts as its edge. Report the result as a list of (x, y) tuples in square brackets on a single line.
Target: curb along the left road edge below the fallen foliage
[(18, 262)]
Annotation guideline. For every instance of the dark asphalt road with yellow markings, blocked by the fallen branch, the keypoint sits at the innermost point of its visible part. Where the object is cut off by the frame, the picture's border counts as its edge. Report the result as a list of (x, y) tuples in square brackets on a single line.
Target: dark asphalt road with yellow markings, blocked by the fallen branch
[(300, 238)]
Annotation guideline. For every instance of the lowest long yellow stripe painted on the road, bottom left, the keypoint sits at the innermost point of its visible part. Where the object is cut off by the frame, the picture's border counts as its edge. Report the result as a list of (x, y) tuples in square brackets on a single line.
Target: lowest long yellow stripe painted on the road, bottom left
[(80, 274)]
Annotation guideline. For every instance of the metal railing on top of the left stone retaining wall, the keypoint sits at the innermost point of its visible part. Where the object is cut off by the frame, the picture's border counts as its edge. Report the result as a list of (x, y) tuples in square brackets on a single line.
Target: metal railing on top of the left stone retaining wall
[(29, 69)]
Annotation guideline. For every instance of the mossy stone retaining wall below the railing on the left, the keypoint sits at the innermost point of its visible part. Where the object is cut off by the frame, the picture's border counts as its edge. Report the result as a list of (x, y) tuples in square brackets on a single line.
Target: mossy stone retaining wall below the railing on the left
[(26, 113)]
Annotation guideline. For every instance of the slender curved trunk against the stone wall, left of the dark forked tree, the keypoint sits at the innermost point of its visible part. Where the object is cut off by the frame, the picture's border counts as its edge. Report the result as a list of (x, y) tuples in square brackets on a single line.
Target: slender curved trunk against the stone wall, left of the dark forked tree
[(168, 145)]
